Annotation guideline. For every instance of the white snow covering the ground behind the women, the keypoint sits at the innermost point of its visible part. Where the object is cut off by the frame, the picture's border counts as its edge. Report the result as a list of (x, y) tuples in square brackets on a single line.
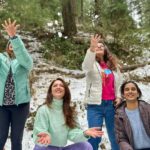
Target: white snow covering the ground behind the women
[(77, 87)]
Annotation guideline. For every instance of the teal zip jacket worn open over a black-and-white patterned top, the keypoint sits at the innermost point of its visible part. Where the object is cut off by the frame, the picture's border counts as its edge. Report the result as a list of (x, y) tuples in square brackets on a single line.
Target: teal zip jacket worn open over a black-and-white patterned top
[(21, 66)]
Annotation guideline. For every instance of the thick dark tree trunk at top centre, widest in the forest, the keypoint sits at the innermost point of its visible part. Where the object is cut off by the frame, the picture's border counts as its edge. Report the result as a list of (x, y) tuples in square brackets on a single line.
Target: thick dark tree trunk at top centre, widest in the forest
[(68, 15)]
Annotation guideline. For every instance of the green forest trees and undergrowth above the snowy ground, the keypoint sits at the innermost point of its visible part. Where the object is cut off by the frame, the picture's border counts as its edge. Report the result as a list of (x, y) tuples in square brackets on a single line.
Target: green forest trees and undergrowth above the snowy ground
[(64, 27)]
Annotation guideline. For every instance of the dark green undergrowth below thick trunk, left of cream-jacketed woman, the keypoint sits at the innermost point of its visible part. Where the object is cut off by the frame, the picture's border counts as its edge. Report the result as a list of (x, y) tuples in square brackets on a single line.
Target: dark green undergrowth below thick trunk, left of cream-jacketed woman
[(65, 52)]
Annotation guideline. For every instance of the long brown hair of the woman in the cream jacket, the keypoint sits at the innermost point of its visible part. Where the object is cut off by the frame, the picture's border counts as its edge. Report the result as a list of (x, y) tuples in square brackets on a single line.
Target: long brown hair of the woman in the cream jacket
[(109, 58)]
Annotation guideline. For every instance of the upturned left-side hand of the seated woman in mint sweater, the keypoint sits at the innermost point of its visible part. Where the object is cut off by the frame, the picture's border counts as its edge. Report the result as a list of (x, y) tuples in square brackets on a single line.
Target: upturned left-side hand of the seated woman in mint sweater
[(44, 138)]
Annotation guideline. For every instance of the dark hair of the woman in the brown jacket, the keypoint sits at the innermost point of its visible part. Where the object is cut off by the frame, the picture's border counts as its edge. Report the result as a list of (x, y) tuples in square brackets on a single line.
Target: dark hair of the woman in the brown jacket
[(127, 82)]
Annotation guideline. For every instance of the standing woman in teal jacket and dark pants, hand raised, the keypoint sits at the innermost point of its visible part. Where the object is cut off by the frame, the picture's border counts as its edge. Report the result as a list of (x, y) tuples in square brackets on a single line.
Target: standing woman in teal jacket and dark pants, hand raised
[(15, 65)]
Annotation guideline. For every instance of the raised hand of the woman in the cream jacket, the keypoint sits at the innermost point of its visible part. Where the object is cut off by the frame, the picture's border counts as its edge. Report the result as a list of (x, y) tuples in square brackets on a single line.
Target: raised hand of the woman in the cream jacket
[(94, 41)]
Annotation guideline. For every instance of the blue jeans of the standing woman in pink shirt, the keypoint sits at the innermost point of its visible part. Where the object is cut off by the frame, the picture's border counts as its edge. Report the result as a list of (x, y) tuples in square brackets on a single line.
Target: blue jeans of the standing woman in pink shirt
[(95, 116)]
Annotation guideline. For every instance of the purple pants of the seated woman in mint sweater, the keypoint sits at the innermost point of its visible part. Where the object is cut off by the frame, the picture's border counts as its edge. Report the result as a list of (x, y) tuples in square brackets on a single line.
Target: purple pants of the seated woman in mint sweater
[(76, 146)]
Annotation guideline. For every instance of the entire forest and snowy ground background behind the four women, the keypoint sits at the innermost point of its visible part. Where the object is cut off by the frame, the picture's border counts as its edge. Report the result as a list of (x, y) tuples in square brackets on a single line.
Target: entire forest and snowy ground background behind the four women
[(57, 34)]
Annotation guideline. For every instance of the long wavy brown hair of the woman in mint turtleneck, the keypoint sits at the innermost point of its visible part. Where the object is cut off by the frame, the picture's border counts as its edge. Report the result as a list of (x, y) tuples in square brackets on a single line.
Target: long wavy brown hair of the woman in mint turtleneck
[(69, 112)]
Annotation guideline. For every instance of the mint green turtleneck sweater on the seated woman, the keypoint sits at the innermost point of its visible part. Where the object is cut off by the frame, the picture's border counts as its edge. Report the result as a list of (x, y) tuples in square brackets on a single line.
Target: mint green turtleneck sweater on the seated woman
[(51, 121)]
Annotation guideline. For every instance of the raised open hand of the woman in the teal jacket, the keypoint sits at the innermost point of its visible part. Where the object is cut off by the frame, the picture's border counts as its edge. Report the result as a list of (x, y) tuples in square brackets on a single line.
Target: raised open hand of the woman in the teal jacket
[(10, 27)]
